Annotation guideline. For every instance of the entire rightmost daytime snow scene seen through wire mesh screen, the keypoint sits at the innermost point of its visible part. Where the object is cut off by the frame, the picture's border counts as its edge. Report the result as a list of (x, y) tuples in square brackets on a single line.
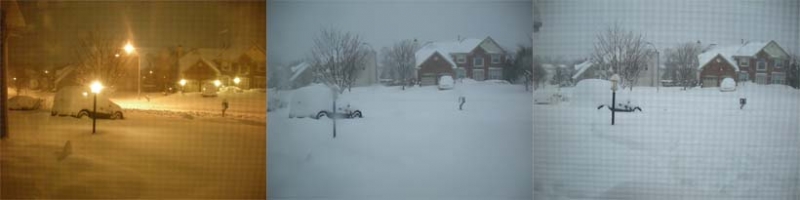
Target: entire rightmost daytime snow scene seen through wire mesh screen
[(706, 104)]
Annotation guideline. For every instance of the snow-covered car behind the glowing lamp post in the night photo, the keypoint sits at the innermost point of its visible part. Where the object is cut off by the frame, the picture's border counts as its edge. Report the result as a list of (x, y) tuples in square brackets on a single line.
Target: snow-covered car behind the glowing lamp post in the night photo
[(79, 101)]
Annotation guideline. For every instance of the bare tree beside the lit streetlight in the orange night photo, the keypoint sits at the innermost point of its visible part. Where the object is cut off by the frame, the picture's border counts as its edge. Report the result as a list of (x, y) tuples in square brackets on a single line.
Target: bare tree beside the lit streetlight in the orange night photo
[(100, 57)]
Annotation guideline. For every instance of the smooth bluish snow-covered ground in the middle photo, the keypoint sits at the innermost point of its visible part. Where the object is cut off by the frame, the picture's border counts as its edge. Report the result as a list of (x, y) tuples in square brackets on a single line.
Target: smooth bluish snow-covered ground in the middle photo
[(412, 144)]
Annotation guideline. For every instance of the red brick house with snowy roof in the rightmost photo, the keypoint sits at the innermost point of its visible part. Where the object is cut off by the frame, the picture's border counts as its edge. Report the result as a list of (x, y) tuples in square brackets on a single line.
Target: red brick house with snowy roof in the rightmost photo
[(759, 62)]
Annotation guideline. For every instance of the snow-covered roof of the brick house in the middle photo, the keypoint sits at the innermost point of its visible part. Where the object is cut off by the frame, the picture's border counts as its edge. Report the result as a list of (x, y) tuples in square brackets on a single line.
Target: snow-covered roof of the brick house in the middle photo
[(446, 48)]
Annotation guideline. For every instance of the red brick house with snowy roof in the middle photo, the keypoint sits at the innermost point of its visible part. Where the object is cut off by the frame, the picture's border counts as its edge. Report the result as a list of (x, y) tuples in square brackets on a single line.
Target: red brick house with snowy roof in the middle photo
[(463, 58)]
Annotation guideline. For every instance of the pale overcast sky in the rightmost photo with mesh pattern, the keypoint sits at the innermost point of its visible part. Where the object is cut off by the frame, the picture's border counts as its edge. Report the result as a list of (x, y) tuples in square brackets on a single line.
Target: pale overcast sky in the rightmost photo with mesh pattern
[(570, 27)]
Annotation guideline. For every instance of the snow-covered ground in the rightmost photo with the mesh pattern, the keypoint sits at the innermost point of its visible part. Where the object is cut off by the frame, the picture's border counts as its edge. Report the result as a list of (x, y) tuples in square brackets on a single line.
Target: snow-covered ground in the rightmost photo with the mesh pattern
[(693, 144)]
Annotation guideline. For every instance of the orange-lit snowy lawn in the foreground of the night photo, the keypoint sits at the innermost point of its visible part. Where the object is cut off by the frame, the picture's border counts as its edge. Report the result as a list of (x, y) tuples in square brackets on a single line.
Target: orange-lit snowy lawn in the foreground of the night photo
[(150, 154)]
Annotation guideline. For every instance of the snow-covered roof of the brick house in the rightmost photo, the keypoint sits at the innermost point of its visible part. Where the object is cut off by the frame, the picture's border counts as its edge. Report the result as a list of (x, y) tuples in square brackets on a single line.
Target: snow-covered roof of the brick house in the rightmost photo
[(730, 52)]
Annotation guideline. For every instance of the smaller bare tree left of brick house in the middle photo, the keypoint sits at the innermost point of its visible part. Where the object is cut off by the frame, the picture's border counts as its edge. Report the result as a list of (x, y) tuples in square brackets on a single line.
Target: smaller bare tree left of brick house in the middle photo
[(401, 60)]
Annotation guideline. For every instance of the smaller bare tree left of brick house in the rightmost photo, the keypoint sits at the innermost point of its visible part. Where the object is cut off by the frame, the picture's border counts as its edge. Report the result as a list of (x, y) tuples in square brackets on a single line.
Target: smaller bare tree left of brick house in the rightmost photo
[(682, 62)]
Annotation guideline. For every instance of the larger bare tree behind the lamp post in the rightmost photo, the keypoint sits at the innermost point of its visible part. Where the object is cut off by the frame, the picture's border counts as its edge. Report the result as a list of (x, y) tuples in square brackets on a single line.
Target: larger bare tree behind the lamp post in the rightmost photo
[(621, 52)]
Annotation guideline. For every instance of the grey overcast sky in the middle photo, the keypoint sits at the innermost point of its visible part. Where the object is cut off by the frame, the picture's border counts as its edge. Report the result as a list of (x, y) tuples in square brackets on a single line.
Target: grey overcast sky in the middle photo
[(292, 25)]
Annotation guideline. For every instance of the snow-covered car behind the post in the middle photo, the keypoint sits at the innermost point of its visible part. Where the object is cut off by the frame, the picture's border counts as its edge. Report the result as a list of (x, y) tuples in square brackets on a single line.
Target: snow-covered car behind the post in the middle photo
[(316, 101)]
